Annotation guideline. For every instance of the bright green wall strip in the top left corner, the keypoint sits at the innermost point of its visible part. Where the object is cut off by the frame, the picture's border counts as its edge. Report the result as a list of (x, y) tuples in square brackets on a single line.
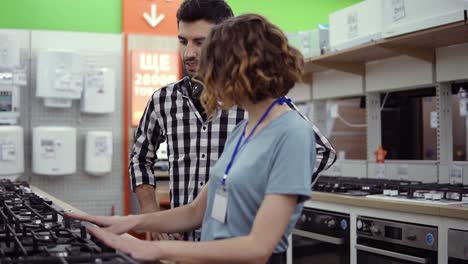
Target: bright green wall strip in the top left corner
[(68, 15)]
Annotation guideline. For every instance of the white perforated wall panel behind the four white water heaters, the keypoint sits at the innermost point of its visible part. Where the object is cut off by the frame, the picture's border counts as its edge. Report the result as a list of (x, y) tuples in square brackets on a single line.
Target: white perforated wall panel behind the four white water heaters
[(91, 194)]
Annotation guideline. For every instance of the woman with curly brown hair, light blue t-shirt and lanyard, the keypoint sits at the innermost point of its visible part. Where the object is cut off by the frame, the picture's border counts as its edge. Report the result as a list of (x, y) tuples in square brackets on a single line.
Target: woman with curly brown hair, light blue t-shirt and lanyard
[(258, 185)]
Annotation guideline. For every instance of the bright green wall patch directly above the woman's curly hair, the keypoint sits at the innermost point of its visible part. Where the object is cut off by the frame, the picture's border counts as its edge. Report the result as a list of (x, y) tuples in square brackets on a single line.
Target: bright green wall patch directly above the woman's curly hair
[(292, 15)]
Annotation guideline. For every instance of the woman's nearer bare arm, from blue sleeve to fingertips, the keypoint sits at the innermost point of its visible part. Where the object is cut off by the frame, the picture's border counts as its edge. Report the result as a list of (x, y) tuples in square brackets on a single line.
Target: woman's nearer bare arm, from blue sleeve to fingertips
[(270, 223)]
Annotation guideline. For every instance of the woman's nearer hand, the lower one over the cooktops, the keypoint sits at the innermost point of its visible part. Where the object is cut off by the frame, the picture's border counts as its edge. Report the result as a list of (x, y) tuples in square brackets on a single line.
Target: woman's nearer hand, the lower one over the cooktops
[(139, 249)]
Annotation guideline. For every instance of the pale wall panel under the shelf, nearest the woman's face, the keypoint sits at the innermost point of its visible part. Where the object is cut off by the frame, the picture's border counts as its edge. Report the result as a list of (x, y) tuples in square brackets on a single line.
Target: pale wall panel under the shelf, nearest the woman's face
[(332, 84)]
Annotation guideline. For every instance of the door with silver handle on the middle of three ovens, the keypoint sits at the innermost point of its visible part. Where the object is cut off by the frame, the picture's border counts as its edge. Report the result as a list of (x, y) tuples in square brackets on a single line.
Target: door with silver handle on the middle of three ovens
[(371, 252)]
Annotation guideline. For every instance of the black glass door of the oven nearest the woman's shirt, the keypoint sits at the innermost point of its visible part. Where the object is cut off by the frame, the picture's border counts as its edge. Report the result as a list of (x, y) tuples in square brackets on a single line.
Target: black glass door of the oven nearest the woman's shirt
[(309, 247)]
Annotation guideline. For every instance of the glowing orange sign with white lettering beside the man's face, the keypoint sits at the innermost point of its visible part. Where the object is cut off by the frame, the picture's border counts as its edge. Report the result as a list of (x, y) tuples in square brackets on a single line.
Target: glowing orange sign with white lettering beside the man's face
[(150, 70)]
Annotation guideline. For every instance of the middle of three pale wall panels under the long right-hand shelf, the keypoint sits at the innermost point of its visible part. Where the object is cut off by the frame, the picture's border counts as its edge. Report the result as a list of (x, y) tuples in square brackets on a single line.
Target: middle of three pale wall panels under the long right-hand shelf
[(398, 73)]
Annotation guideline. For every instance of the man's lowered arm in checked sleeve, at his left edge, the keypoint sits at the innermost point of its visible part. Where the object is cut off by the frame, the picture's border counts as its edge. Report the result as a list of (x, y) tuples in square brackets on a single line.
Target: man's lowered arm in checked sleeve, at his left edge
[(142, 159)]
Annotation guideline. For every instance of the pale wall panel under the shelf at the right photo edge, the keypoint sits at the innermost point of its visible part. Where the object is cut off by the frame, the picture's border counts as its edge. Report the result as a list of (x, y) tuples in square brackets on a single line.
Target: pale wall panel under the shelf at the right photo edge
[(452, 63)]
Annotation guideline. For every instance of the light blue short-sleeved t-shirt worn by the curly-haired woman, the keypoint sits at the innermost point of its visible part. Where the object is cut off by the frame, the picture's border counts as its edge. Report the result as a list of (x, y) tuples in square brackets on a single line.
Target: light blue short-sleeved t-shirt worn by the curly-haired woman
[(279, 159)]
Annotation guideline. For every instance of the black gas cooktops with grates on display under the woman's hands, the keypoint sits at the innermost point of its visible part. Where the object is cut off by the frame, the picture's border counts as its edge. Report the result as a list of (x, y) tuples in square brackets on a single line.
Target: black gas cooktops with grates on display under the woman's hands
[(33, 230)]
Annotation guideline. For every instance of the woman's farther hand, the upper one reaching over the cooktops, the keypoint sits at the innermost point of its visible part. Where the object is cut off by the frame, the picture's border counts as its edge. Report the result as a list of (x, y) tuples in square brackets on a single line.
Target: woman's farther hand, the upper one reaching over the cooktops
[(113, 224)]
